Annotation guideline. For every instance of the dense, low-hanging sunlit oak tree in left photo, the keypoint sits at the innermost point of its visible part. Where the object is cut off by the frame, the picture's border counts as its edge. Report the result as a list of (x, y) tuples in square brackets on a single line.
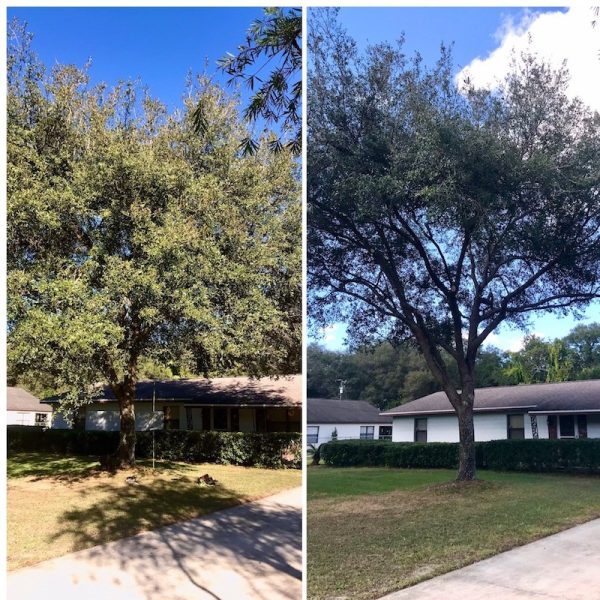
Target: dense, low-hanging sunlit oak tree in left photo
[(132, 238)]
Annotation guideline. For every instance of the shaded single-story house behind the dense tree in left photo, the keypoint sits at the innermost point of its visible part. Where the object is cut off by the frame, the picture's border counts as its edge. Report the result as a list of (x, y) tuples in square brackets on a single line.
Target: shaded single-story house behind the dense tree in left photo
[(220, 404)]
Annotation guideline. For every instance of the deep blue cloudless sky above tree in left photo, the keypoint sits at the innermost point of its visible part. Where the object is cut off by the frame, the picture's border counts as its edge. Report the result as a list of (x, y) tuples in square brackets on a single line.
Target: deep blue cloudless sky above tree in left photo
[(157, 45)]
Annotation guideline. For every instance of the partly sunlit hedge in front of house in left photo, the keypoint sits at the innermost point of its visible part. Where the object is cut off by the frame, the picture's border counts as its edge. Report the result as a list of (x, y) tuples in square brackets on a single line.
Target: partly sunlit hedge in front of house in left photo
[(273, 450)]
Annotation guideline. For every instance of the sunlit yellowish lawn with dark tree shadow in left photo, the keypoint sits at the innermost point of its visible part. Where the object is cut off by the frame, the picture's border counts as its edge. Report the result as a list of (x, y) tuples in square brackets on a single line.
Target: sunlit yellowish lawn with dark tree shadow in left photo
[(58, 504)]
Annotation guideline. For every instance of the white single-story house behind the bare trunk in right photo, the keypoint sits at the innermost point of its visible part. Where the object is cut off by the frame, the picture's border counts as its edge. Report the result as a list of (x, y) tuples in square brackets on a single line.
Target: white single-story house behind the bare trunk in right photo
[(569, 409)]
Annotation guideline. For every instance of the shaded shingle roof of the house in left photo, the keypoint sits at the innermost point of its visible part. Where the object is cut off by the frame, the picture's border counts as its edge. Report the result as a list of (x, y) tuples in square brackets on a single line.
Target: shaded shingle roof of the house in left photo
[(234, 391)]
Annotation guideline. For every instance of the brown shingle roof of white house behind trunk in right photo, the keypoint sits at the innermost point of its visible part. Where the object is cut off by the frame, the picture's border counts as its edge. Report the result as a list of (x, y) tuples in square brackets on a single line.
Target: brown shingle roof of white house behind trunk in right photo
[(540, 397)]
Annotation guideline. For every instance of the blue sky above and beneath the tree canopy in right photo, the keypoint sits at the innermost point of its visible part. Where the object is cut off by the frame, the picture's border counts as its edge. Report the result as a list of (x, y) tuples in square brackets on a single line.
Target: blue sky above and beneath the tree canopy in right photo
[(475, 33)]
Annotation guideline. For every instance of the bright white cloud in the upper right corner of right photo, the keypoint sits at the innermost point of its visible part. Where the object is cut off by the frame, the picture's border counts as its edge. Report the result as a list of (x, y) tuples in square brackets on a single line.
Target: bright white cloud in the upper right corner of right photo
[(556, 36)]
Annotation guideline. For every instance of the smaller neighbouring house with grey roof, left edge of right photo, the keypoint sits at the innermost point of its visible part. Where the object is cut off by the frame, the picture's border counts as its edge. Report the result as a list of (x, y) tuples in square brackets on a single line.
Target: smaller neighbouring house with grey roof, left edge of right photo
[(350, 419)]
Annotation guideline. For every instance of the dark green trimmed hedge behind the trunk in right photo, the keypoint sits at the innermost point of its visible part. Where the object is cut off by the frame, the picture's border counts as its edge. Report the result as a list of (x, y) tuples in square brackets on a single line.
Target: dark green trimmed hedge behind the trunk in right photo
[(502, 455)]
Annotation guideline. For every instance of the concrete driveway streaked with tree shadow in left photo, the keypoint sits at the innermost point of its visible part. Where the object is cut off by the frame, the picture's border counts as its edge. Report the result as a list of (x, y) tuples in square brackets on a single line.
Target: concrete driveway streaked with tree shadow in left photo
[(247, 552)]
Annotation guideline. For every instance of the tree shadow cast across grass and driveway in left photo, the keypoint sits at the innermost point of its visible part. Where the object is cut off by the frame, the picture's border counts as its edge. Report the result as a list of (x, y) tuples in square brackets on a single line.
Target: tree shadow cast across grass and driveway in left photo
[(254, 537)]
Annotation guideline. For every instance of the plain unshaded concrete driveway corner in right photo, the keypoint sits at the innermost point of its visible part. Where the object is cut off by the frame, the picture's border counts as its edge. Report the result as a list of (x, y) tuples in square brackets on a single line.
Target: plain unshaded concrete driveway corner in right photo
[(564, 566)]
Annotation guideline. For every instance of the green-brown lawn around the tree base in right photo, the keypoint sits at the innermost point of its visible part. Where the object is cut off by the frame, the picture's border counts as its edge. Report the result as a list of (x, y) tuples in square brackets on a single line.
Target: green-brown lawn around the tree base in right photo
[(375, 530)]
